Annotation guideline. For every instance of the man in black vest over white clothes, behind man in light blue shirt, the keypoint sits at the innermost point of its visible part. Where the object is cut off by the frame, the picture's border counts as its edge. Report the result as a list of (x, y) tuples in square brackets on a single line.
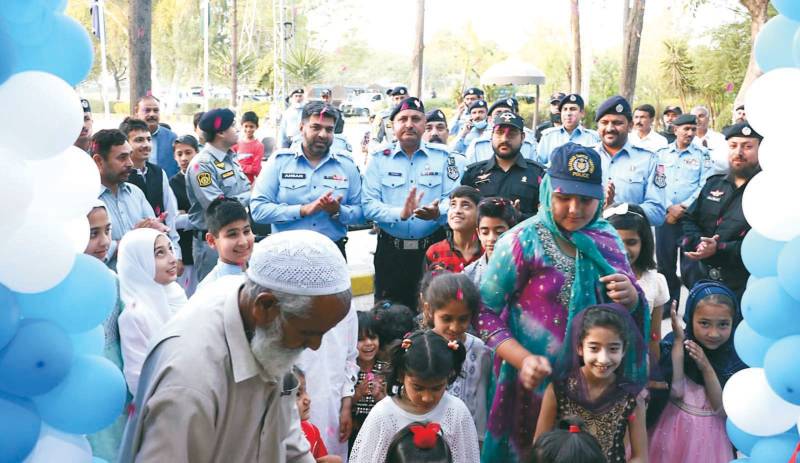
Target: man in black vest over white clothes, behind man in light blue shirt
[(152, 180)]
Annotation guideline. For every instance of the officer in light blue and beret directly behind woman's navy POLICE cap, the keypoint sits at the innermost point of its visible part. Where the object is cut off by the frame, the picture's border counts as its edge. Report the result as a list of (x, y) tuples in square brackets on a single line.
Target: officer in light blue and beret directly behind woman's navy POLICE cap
[(572, 111)]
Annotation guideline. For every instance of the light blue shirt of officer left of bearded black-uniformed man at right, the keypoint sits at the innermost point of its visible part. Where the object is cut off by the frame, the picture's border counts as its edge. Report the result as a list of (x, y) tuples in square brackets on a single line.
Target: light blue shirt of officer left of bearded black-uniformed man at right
[(686, 172)]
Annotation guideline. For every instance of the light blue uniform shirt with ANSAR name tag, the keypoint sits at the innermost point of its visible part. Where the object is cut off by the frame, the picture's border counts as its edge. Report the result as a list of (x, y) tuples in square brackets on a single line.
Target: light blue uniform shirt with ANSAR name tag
[(288, 181)]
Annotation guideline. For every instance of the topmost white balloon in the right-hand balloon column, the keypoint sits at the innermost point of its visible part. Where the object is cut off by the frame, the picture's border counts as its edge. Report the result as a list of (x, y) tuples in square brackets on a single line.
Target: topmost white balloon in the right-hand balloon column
[(782, 85)]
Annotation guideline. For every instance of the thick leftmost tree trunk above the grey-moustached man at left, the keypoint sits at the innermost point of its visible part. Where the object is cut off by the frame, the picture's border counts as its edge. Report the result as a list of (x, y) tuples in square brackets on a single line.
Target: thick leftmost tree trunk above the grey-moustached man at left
[(139, 46)]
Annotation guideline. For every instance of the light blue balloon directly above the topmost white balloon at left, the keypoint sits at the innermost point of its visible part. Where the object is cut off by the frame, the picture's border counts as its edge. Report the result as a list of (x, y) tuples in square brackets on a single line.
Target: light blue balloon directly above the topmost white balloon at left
[(73, 59)]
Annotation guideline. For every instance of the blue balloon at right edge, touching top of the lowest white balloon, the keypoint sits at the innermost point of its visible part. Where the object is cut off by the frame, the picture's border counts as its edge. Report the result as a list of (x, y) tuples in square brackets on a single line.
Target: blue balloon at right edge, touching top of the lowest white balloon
[(780, 366)]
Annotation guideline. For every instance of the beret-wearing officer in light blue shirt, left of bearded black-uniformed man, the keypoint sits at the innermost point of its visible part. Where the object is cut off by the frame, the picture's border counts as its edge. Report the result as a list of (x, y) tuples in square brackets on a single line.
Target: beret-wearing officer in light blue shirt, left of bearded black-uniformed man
[(686, 168)]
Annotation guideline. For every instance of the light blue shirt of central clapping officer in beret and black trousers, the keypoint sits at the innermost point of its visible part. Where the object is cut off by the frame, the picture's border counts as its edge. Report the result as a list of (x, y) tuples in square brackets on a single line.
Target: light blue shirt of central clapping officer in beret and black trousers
[(391, 174)]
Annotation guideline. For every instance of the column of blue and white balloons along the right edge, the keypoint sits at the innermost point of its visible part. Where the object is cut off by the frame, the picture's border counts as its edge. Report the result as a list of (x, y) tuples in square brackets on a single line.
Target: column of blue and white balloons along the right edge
[(763, 402)]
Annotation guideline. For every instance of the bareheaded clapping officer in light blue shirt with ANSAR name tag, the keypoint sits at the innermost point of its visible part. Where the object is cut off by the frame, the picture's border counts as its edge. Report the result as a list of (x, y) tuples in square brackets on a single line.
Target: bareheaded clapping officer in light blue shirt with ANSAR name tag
[(310, 186)]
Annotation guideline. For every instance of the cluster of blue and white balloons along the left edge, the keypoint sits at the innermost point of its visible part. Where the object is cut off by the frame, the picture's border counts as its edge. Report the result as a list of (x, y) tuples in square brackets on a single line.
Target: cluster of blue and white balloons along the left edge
[(55, 384)]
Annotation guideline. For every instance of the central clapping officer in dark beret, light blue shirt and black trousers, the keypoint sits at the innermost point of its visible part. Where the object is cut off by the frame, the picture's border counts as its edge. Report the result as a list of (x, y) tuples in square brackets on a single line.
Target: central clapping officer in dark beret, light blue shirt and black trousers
[(406, 192)]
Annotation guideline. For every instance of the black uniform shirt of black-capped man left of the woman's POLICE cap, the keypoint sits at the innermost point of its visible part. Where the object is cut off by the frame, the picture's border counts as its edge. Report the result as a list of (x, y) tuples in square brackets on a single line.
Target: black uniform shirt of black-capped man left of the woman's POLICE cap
[(521, 182)]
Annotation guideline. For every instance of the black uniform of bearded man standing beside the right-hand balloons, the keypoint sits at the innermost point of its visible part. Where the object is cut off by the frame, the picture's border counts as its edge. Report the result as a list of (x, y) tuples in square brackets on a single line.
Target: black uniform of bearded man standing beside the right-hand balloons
[(718, 211)]
